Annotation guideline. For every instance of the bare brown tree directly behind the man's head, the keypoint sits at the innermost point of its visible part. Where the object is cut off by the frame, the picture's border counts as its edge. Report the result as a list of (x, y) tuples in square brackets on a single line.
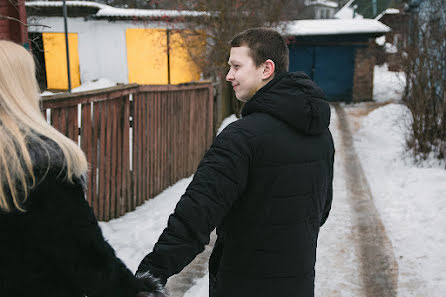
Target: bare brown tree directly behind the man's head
[(207, 37)]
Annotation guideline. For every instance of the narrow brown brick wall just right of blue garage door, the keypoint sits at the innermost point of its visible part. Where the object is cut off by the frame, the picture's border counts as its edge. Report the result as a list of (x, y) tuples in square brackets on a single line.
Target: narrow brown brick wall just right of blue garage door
[(363, 77)]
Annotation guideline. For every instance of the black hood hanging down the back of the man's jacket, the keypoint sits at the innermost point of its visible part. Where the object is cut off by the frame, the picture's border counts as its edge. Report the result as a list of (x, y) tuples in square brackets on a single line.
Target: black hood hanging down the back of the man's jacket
[(295, 99)]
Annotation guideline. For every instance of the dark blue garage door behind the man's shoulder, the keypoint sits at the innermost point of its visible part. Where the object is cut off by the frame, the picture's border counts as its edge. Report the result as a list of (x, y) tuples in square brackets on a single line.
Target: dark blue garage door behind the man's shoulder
[(331, 67)]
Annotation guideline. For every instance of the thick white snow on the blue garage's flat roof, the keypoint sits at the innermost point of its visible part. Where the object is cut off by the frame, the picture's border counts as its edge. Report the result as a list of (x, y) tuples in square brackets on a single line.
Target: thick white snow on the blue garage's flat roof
[(334, 27)]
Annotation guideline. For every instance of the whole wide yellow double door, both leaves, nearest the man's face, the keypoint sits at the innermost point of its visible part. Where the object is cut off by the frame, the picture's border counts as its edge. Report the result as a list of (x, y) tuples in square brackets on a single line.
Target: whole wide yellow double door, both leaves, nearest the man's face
[(147, 58)]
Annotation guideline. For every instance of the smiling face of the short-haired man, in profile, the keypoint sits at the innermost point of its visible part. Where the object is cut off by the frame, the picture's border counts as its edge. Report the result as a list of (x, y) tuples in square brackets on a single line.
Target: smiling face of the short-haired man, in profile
[(245, 77)]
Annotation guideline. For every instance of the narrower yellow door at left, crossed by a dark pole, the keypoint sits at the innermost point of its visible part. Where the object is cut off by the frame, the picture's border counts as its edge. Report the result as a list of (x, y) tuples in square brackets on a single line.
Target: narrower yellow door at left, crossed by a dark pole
[(56, 60)]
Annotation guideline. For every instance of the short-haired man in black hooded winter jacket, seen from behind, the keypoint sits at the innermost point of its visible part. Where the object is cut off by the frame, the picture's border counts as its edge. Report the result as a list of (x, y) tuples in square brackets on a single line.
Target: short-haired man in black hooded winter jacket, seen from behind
[(265, 183)]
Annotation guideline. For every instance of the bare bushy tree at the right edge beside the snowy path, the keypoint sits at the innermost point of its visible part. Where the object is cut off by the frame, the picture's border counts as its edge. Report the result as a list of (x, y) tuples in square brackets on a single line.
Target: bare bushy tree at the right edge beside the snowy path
[(425, 68)]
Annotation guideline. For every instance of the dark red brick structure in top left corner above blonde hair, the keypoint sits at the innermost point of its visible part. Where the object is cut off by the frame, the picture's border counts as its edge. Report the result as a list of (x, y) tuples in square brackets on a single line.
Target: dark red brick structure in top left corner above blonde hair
[(13, 20)]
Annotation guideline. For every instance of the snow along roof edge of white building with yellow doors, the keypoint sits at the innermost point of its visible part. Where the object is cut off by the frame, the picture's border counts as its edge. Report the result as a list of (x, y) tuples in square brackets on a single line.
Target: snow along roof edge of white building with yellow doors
[(109, 11)]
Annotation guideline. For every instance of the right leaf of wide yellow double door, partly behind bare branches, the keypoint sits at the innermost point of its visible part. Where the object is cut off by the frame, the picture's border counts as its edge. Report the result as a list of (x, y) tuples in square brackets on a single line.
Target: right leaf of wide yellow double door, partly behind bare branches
[(182, 67)]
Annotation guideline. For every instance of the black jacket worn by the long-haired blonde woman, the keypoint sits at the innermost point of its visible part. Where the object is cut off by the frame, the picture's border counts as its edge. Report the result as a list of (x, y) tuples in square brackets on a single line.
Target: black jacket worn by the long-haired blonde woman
[(56, 248)]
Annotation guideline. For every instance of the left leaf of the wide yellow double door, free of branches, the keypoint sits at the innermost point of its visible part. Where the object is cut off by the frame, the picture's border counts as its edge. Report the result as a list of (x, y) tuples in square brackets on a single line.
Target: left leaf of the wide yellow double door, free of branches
[(147, 56)]
